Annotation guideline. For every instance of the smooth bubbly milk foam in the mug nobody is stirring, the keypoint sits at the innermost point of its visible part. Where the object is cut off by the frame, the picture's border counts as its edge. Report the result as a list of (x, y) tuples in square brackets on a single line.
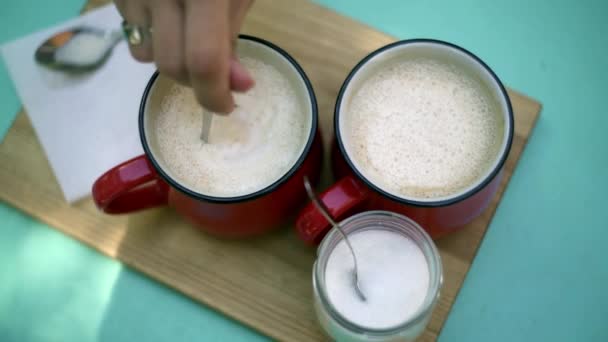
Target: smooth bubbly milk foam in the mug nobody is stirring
[(423, 129)]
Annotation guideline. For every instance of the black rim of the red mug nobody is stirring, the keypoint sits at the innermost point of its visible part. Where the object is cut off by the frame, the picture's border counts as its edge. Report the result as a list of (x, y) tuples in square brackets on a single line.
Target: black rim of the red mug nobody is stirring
[(437, 203)]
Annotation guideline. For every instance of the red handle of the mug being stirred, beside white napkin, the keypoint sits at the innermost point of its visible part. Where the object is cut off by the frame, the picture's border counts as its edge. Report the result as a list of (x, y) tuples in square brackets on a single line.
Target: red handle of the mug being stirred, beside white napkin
[(131, 186)]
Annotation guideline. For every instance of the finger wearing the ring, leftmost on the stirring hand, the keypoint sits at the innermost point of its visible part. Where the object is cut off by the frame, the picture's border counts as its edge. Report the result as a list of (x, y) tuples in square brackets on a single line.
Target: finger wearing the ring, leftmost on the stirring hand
[(135, 12)]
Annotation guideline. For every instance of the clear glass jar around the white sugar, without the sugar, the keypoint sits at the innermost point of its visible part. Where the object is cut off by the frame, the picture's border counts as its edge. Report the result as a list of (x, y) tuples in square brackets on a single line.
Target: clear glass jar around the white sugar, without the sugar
[(339, 327)]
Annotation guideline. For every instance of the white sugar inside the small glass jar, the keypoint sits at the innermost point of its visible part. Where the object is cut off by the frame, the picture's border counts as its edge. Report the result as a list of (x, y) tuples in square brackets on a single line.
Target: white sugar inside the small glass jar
[(393, 274)]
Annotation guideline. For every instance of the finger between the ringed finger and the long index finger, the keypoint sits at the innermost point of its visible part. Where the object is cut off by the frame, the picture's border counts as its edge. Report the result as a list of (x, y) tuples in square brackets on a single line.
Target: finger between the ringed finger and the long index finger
[(168, 39)]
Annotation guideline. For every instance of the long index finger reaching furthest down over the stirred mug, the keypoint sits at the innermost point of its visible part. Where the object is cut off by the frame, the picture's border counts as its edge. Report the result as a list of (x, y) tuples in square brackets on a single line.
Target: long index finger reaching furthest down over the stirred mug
[(208, 53)]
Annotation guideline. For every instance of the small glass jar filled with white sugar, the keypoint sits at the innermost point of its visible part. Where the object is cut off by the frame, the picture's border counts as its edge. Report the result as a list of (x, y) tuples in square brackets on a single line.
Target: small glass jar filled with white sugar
[(400, 274)]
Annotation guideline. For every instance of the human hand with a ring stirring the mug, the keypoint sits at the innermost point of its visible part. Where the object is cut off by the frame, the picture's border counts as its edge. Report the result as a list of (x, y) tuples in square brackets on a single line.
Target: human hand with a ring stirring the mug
[(193, 43)]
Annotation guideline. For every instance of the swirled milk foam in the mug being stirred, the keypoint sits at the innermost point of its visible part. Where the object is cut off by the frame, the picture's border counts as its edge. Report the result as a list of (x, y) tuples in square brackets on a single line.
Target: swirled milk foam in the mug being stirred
[(248, 149)]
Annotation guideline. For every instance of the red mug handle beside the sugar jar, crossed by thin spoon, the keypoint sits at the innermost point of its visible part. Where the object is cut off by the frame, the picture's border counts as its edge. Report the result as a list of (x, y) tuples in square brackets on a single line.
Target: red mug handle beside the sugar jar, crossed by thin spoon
[(341, 199)]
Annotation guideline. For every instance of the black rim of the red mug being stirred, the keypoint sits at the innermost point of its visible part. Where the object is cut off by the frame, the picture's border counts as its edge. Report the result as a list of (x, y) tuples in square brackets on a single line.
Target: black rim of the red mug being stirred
[(259, 193)]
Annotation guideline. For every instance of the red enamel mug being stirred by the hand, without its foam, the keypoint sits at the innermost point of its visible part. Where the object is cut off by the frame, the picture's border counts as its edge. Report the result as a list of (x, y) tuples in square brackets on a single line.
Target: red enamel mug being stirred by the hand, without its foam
[(144, 182)]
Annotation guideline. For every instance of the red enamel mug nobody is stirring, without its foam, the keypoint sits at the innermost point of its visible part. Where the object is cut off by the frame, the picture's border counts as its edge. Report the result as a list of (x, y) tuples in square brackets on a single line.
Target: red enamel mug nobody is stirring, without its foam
[(354, 192)]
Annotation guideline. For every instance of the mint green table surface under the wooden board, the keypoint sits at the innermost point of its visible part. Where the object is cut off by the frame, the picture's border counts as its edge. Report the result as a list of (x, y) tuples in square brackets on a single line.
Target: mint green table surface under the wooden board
[(541, 272)]
